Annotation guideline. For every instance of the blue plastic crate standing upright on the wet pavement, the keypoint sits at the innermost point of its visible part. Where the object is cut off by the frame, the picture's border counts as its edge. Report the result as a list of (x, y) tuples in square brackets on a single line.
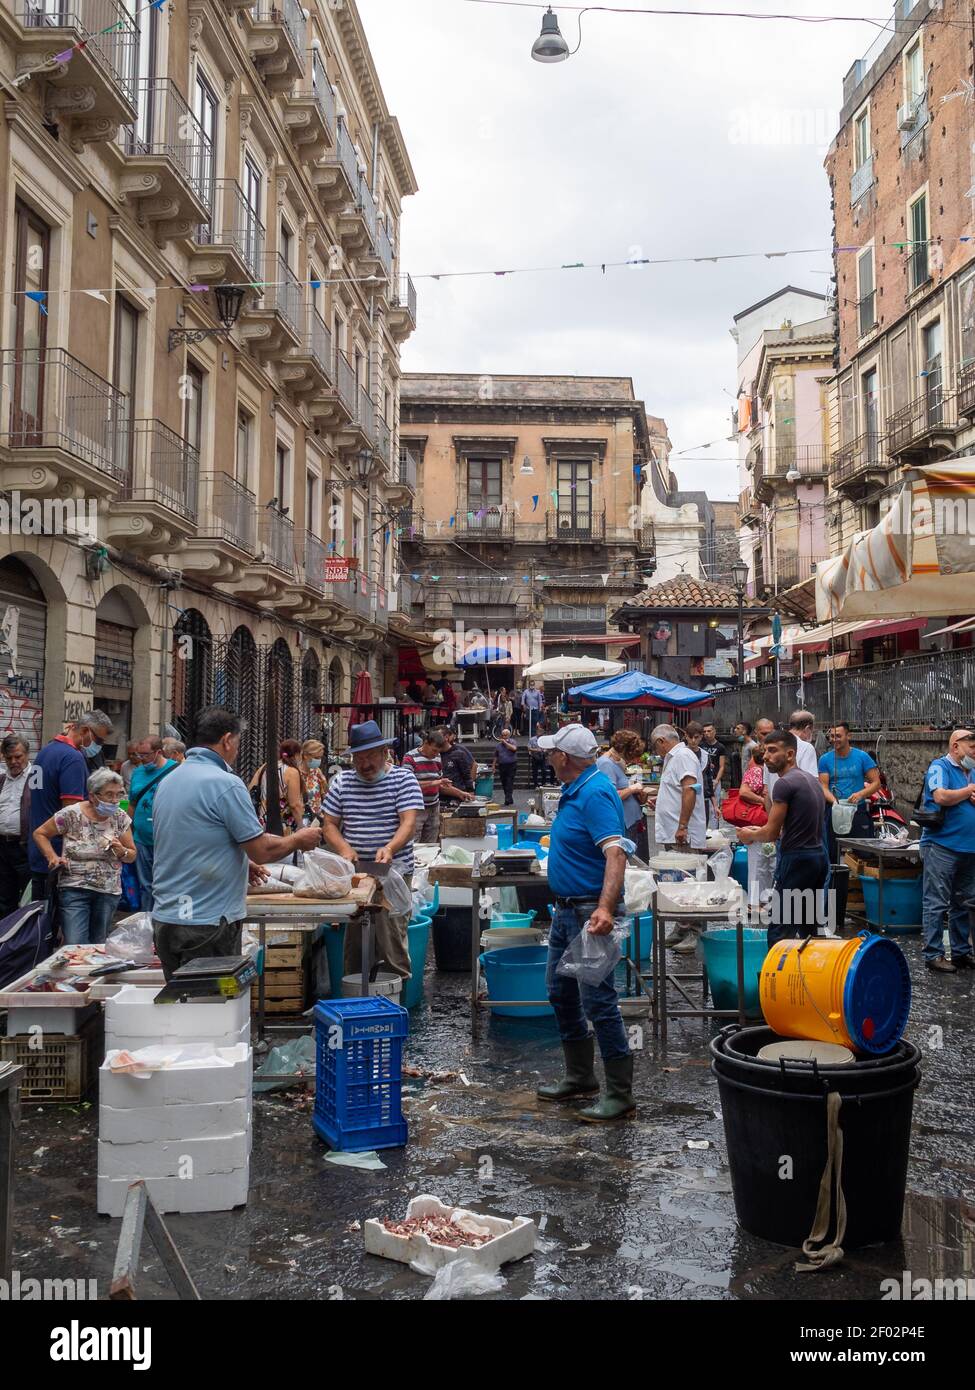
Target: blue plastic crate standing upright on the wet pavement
[(358, 1089)]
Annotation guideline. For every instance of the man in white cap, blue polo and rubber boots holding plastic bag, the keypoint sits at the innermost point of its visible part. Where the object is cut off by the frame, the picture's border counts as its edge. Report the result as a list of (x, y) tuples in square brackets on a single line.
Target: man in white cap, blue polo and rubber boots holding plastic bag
[(586, 864)]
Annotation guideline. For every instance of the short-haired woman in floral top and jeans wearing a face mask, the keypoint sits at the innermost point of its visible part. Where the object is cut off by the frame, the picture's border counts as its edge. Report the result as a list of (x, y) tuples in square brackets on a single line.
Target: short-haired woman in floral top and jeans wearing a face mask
[(98, 842)]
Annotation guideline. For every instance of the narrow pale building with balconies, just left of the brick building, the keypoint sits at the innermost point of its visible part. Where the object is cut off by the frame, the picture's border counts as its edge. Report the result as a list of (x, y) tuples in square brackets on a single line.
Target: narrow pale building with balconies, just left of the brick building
[(785, 347)]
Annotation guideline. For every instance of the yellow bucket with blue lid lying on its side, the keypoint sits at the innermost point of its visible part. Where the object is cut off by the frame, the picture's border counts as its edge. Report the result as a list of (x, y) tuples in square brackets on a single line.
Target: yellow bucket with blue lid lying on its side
[(856, 993)]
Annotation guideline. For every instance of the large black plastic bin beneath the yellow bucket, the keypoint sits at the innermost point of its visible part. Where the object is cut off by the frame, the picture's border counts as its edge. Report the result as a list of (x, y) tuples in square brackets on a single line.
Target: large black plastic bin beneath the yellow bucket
[(777, 1113)]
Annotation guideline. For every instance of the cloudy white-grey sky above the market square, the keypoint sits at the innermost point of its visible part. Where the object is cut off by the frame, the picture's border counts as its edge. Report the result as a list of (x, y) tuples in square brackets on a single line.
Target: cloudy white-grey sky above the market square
[(661, 137)]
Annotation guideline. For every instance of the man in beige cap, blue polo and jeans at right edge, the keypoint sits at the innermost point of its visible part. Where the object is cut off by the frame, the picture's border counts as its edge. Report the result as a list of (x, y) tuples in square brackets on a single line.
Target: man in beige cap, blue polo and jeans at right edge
[(949, 856)]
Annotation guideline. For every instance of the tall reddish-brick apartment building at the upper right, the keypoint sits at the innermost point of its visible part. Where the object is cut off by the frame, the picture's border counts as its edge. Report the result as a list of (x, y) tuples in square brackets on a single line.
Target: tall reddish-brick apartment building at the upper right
[(903, 179)]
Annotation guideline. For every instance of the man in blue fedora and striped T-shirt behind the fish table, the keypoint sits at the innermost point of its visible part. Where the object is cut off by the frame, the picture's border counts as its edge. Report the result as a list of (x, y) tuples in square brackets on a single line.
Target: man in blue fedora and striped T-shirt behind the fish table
[(371, 814)]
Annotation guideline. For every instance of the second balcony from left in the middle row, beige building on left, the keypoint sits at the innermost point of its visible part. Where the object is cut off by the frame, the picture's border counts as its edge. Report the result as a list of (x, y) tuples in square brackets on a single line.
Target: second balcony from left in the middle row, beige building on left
[(169, 163)]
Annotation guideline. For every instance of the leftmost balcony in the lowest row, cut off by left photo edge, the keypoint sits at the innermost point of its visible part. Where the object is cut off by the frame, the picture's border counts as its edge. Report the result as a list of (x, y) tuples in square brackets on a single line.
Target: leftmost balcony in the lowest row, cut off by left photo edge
[(62, 422)]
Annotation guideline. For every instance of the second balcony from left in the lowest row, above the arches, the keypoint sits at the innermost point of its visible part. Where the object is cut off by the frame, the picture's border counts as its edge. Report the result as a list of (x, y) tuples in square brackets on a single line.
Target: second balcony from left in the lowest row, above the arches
[(158, 502)]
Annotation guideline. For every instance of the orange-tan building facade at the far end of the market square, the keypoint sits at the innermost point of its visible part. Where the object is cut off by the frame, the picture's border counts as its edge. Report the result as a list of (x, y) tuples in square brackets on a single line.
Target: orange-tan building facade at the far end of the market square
[(529, 518)]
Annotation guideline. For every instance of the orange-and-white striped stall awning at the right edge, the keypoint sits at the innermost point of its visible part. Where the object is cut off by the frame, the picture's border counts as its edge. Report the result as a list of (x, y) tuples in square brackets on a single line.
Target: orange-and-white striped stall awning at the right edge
[(917, 562)]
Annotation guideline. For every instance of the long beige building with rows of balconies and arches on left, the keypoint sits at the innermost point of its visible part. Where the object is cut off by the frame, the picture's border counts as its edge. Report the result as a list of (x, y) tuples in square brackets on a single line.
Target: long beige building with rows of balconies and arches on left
[(202, 316)]
